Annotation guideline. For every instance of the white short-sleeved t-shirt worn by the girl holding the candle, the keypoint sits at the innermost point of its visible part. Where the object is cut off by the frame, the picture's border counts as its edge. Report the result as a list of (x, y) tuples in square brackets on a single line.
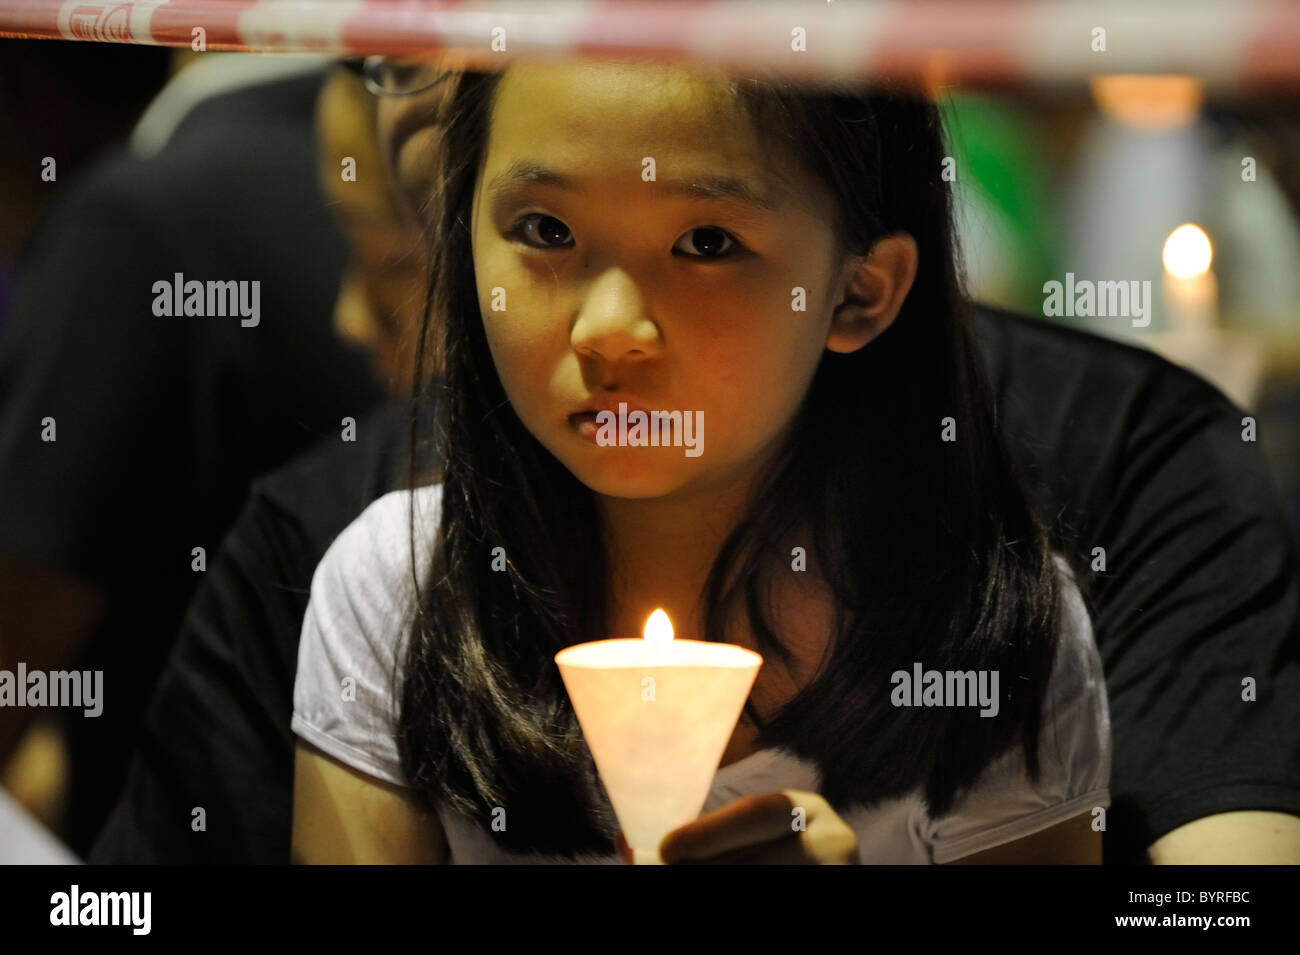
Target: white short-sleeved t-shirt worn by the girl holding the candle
[(356, 631)]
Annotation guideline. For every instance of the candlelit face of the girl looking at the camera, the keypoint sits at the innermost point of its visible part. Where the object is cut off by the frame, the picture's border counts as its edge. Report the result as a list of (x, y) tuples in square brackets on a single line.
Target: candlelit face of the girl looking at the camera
[(619, 258)]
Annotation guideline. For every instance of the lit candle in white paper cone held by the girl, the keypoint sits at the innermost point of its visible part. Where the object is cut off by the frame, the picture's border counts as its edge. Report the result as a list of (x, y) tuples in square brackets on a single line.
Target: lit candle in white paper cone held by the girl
[(657, 715)]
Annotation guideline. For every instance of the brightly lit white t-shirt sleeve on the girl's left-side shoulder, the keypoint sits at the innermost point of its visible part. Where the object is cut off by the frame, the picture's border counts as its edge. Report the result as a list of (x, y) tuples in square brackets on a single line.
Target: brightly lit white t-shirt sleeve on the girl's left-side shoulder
[(353, 643)]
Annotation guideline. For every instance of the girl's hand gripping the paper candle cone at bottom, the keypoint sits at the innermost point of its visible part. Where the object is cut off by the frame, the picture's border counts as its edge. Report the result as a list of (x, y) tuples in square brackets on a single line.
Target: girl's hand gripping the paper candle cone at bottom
[(786, 828)]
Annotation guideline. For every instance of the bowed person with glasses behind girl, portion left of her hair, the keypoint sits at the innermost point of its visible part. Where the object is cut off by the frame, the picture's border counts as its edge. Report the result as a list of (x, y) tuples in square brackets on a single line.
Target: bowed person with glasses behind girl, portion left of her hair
[(218, 728)]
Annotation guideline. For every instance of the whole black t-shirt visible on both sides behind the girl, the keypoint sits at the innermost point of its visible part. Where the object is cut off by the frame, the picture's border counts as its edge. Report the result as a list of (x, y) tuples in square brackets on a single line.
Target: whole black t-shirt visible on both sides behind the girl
[(1120, 450)]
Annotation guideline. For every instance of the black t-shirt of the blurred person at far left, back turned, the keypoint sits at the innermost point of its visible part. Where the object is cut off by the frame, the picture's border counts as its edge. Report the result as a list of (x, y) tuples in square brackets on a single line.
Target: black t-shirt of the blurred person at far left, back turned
[(162, 423)]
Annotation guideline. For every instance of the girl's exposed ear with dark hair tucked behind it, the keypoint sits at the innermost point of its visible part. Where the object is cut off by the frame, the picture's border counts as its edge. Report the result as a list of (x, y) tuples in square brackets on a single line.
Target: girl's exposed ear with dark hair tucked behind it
[(874, 289)]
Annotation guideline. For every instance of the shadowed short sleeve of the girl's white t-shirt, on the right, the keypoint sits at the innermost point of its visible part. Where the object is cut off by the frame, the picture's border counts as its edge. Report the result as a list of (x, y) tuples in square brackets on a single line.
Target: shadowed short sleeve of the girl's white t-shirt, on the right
[(1074, 767)]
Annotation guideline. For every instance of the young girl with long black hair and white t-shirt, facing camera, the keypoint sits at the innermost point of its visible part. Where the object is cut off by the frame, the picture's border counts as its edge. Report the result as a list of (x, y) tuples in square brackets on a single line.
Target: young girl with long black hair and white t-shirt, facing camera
[(775, 262)]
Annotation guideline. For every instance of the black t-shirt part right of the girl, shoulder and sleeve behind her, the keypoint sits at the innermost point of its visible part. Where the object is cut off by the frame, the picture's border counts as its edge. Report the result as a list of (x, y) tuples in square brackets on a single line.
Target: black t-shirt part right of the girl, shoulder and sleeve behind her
[(1124, 452)]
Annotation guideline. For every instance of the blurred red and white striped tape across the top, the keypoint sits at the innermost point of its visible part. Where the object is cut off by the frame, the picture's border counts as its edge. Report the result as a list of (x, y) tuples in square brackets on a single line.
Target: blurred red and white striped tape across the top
[(1234, 42)]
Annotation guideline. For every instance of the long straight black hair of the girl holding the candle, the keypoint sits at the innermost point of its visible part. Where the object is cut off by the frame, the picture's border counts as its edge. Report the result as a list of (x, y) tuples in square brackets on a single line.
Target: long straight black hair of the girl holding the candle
[(928, 544)]
